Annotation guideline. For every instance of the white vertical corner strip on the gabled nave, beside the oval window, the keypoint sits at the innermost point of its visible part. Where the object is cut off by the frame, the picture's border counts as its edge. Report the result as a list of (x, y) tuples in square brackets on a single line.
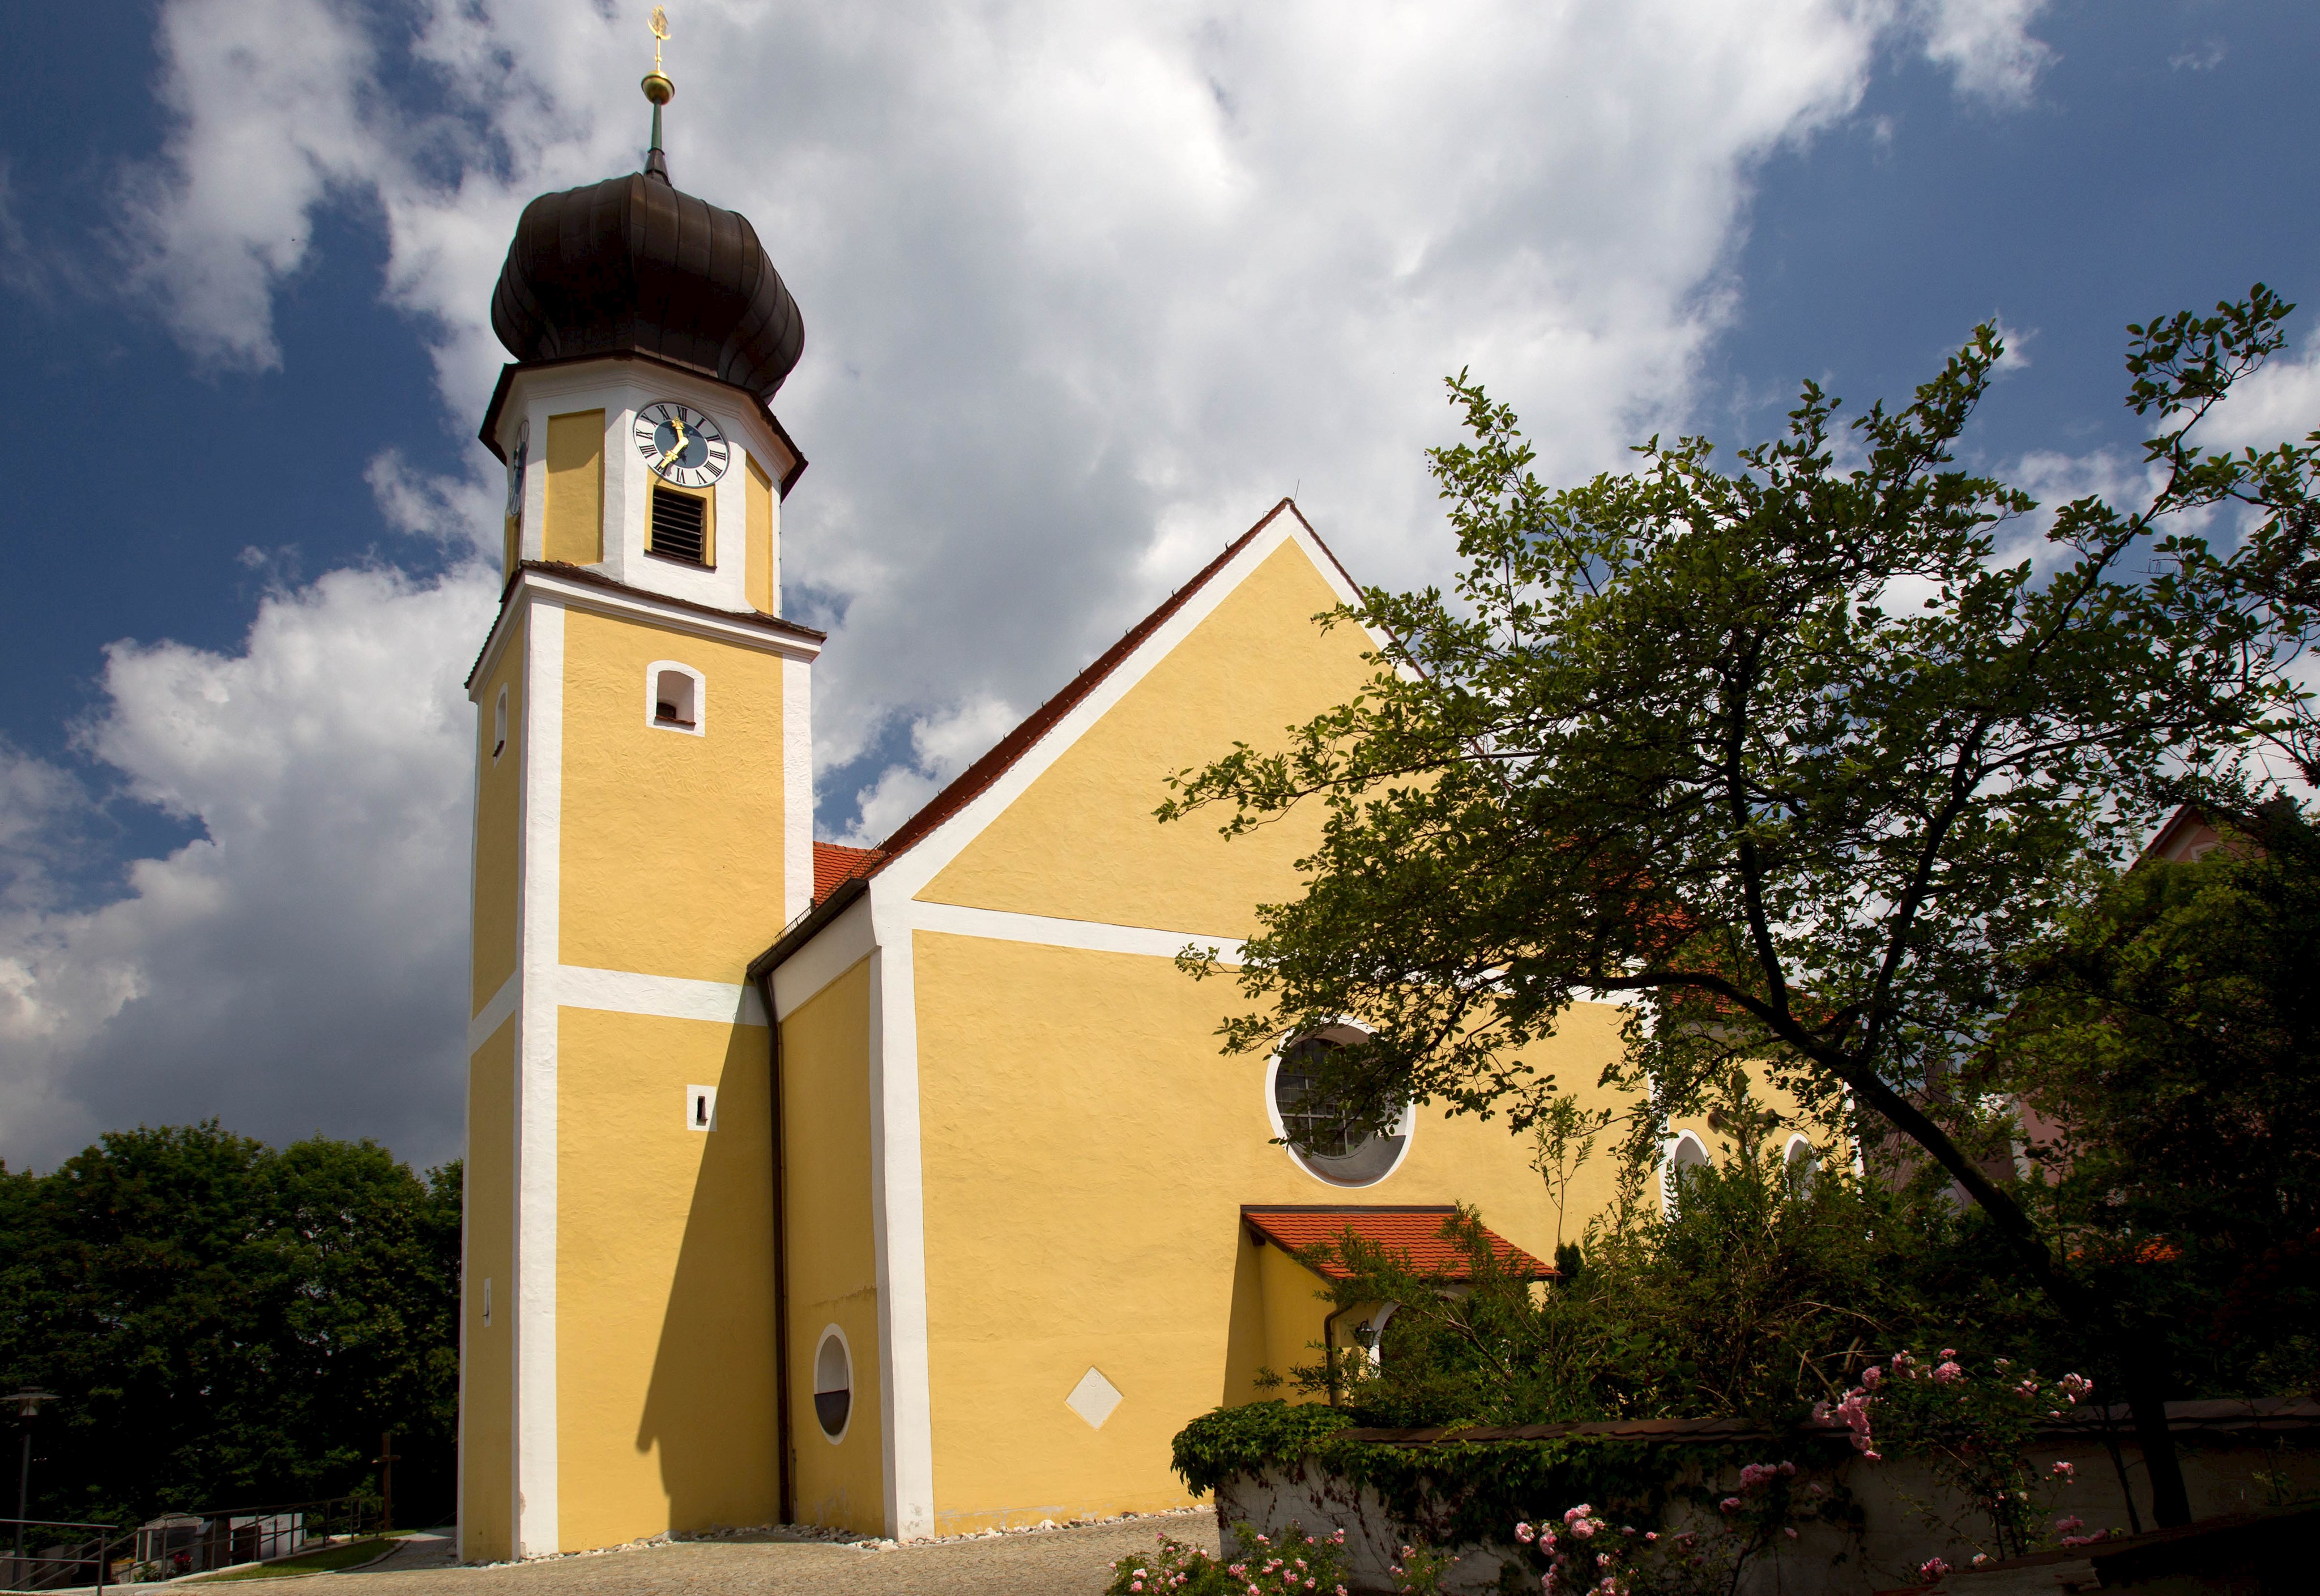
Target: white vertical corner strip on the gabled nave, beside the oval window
[(899, 1224)]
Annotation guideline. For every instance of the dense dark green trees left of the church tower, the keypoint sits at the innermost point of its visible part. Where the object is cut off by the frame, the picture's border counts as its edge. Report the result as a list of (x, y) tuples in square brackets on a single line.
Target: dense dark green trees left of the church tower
[(229, 1323)]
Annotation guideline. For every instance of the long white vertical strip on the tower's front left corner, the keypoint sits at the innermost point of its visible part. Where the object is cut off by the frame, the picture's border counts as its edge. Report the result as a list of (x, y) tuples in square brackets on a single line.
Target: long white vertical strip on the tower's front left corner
[(537, 1094)]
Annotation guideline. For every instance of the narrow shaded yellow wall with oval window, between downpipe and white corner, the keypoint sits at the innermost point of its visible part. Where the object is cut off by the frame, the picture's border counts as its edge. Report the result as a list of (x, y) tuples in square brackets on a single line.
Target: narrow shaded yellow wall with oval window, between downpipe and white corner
[(832, 1252)]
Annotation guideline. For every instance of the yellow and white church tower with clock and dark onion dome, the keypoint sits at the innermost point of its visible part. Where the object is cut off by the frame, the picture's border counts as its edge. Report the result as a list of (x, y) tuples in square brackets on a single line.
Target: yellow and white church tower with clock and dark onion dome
[(644, 825)]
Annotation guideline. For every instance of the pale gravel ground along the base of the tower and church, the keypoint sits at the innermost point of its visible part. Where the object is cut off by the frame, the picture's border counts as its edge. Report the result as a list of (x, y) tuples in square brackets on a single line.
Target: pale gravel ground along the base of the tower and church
[(1057, 1562)]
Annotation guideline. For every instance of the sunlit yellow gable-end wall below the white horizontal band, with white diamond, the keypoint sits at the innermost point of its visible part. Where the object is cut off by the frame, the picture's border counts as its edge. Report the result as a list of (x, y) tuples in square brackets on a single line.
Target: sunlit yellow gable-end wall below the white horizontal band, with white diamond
[(1087, 1154)]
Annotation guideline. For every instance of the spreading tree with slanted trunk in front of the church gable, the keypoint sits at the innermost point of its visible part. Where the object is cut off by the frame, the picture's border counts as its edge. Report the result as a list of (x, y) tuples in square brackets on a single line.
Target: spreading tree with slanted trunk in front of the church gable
[(1795, 757)]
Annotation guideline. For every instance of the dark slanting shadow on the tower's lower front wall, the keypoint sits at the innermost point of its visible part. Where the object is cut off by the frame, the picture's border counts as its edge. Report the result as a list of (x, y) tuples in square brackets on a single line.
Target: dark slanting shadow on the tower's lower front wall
[(711, 1402)]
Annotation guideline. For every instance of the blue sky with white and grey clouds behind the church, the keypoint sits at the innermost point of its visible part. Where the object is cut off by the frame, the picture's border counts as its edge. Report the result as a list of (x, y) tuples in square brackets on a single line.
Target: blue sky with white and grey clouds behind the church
[(1087, 289)]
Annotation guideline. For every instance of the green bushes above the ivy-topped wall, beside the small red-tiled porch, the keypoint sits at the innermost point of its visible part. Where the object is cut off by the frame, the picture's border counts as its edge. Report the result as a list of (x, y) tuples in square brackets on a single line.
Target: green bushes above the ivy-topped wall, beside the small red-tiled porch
[(1760, 1293)]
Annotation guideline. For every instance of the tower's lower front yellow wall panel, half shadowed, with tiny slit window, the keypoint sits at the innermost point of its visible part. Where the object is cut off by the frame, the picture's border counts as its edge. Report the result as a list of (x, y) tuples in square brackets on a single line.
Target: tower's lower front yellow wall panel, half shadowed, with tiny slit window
[(665, 1279)]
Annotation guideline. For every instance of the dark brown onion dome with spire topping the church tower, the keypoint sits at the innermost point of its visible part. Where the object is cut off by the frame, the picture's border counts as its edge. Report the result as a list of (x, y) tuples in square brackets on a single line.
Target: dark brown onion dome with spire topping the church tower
[(632, 266)]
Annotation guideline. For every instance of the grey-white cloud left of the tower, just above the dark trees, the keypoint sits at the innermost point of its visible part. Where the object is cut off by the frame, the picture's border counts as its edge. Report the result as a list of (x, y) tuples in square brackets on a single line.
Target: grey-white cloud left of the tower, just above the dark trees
[(300, 964)]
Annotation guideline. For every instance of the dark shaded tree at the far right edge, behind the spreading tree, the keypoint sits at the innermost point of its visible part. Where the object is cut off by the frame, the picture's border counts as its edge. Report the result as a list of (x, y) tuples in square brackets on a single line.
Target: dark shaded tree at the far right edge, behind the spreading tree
[(2173, 1036)]
